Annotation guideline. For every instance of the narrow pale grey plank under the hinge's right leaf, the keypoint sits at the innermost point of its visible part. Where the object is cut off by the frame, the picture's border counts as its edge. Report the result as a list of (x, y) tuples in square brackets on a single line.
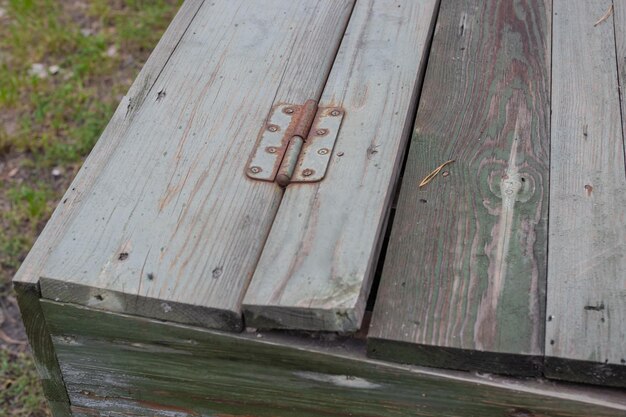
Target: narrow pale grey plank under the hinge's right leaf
[(316, 268)]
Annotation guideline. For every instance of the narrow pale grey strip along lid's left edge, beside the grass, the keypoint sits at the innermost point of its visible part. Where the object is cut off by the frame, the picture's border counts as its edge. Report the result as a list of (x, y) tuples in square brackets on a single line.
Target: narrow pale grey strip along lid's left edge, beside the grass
[(30, 271)]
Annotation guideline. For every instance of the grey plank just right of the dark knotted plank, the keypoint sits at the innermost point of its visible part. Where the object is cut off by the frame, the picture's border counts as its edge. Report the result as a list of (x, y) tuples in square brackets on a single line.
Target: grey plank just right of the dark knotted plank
[(586, 299)]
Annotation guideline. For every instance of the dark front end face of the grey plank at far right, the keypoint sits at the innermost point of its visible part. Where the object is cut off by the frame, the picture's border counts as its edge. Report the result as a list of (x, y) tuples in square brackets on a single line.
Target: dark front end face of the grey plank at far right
[(606, 374)]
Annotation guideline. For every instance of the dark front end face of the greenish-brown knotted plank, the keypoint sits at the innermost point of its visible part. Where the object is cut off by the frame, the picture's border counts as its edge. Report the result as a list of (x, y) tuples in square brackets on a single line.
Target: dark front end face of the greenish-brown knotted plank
[(454, 358)]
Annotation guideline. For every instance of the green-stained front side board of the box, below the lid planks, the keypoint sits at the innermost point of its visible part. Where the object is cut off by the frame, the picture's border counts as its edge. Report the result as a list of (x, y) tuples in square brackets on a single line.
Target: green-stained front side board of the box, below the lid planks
[(151, 368)]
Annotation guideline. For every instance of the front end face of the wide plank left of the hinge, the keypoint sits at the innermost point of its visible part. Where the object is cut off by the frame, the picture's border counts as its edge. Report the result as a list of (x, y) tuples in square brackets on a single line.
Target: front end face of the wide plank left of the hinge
[(119, 302)]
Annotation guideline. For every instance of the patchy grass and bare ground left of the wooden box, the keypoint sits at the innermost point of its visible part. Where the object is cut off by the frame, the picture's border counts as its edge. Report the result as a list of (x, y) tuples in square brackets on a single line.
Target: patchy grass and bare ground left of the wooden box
[(64, 65)]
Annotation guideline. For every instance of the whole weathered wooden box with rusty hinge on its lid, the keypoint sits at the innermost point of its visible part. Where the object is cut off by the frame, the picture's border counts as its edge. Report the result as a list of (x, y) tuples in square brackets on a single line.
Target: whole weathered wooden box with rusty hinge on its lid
[(219, 253)]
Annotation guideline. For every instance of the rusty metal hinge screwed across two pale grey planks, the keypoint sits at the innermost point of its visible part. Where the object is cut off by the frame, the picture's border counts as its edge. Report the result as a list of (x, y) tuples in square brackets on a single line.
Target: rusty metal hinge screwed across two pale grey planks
[(296, 143)]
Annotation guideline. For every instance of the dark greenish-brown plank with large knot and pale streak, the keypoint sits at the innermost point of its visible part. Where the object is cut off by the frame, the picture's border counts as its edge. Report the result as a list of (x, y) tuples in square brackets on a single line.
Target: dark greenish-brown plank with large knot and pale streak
[(464, 276)]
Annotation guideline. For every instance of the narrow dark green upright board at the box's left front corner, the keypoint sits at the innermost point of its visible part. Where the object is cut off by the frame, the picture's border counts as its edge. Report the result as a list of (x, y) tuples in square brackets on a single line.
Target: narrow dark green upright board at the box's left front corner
[(43, 351)]
